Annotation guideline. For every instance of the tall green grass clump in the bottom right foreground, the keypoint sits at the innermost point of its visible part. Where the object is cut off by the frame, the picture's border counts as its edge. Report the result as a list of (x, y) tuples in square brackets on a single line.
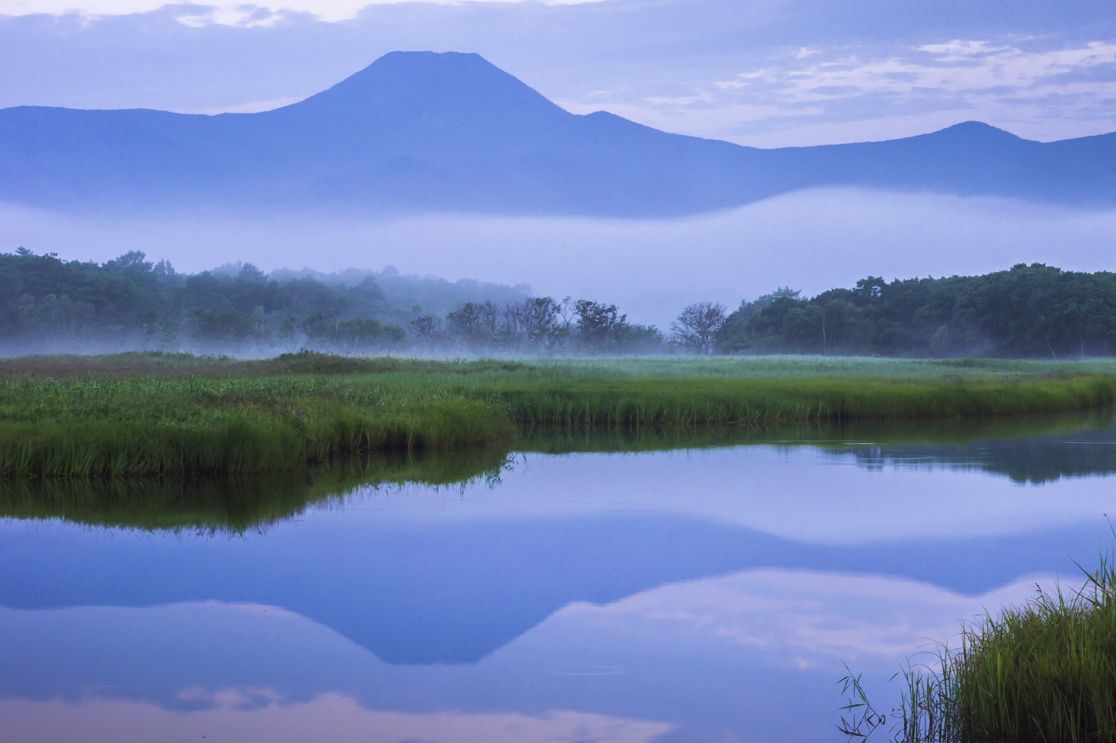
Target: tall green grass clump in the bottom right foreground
[(1042, 673)]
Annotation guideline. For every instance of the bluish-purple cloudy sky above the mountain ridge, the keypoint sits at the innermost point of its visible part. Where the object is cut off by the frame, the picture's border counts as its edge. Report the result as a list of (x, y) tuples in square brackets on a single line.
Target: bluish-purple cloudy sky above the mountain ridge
[(756, 72)]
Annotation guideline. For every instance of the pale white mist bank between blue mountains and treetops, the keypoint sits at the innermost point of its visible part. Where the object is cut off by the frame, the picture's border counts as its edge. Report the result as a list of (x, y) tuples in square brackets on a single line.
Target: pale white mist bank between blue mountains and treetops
[(810, 242)]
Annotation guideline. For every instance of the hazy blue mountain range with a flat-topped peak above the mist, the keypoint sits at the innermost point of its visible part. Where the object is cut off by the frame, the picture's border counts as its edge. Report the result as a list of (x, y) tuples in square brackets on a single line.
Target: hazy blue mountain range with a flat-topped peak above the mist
[(418, 132)]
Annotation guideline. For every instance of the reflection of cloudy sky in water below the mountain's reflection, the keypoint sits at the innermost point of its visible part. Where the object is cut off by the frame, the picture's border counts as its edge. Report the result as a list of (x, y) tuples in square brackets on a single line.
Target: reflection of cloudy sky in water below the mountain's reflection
[(748, 657)]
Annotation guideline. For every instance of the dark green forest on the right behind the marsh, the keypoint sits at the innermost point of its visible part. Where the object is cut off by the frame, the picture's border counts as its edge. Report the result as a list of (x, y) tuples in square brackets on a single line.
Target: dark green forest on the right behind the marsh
[(1027, 312)]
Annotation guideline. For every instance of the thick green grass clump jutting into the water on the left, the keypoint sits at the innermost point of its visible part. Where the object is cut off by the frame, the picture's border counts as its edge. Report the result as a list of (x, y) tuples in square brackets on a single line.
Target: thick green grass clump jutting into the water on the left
[(146, 427)]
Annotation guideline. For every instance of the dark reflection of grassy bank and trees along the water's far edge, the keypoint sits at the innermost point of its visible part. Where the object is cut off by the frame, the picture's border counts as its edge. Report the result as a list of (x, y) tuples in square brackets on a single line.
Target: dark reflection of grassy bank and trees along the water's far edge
[(1026, 451)]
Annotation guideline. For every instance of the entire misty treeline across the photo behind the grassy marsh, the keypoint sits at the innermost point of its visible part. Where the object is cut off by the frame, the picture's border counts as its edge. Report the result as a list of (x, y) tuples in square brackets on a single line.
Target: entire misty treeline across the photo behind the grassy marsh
[(52, 305)]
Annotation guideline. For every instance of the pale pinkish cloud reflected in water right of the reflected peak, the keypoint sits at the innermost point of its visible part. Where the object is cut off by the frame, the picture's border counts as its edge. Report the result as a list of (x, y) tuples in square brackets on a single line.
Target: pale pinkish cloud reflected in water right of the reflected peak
[(804, 619)]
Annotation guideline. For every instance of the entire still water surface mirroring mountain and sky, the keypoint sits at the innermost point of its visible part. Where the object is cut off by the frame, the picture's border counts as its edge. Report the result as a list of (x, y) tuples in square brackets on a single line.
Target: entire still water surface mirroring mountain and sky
[(710, 594)]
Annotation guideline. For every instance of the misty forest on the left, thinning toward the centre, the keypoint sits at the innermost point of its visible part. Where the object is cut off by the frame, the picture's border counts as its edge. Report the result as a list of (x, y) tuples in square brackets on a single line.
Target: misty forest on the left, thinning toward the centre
[(50, 305)]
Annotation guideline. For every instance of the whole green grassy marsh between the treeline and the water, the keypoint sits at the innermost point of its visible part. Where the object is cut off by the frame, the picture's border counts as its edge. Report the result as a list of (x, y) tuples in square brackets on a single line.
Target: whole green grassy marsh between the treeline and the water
[(141, 416)]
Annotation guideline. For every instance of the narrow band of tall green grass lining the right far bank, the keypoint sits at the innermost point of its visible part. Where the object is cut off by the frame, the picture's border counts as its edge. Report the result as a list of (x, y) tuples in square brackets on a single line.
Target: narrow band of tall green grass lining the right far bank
[(687, 402)]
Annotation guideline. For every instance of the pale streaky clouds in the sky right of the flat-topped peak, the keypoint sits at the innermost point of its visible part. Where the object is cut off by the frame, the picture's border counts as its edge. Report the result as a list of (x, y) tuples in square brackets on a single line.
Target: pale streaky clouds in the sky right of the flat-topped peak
[(1011, 83)]
